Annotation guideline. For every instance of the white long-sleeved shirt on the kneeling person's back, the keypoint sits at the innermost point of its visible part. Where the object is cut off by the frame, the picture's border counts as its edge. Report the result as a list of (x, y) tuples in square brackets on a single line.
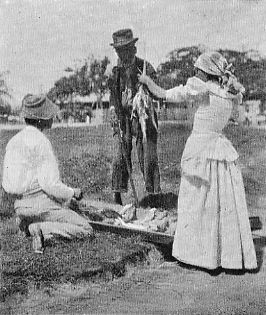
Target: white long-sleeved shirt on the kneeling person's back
[(30, 166)]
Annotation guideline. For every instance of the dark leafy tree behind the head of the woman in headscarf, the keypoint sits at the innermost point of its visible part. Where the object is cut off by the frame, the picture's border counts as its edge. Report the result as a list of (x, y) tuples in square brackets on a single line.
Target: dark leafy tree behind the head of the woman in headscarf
[(250, 68)]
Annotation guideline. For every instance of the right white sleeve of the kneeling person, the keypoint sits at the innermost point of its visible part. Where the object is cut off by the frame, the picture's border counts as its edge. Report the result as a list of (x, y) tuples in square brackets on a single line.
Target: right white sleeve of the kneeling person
[(49, 177)]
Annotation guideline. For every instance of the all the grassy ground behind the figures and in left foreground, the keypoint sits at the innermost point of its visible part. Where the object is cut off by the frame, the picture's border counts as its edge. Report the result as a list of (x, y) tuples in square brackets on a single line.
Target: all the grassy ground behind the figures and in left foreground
[(85, 161)]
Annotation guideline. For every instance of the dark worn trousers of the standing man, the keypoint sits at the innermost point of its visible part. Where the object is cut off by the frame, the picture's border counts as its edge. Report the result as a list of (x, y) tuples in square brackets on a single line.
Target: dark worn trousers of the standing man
[(147, 156)]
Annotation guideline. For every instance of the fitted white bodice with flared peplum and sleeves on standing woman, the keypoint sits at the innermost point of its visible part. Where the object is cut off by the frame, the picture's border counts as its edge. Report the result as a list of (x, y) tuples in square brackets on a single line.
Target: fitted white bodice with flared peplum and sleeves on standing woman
[(206, 142)]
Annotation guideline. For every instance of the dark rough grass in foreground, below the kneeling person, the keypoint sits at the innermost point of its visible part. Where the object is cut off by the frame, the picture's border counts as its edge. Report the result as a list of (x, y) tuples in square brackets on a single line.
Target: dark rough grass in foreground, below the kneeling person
[(63, 261)]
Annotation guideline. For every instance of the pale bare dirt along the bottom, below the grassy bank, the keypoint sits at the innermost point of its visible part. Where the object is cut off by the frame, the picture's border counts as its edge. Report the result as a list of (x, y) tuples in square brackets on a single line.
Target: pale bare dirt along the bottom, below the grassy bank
[(157, 290)]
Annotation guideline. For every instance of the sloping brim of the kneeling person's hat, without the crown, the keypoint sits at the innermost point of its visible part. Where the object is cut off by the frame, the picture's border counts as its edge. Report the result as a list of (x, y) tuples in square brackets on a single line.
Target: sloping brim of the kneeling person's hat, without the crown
[(45, 111)]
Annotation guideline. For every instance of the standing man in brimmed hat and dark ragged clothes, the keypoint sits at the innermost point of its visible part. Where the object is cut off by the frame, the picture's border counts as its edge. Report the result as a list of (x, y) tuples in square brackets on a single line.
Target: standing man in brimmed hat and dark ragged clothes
[(124, 85)]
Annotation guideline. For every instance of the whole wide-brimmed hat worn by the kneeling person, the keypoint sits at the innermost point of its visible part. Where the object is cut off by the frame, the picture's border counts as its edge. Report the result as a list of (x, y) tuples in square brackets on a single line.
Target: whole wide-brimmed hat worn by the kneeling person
[(38, 107)]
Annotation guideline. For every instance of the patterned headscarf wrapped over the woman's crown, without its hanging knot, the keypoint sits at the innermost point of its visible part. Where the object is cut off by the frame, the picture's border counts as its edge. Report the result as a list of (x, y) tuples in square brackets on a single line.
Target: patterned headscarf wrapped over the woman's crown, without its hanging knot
[(212, 63)]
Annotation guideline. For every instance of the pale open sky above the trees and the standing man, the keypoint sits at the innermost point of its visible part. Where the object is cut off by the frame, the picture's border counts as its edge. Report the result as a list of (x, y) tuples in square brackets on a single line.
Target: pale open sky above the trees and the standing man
[(41, 38)]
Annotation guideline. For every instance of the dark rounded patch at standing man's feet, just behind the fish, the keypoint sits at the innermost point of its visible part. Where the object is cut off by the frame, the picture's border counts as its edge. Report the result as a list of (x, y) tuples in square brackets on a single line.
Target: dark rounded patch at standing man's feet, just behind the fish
[(166, 201)]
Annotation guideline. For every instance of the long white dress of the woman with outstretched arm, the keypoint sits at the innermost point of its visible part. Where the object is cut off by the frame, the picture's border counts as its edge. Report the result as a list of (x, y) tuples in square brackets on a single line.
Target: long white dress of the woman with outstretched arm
[(213, 227)]
